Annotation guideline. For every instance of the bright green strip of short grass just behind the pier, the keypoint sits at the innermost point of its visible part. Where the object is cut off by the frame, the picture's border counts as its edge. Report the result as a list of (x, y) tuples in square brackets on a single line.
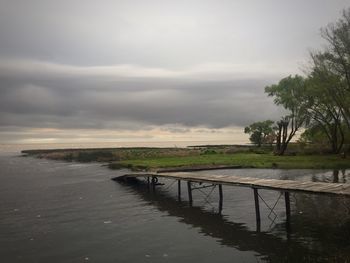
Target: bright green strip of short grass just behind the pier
[(241, 159)]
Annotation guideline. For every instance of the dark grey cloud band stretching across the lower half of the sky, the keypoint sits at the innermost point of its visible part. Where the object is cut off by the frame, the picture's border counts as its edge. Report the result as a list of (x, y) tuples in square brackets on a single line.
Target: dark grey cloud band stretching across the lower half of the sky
[(37, 99)]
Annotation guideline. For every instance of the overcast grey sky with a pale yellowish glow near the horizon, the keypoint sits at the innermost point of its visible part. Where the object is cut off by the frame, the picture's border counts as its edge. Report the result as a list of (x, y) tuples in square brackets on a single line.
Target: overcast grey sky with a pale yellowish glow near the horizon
[(149, 70)]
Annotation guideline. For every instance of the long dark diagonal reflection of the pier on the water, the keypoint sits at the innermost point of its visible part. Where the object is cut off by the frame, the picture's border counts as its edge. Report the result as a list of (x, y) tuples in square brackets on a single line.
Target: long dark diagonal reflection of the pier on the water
[(227, 233)]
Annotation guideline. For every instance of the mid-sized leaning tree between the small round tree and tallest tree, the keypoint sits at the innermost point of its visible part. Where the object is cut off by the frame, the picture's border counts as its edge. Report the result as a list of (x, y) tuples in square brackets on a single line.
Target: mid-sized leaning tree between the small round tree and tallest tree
[(289, 93)]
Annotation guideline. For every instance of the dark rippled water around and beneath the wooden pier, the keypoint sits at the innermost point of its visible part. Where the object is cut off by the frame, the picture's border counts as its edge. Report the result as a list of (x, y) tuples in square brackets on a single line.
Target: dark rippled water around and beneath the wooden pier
[(69, 212)]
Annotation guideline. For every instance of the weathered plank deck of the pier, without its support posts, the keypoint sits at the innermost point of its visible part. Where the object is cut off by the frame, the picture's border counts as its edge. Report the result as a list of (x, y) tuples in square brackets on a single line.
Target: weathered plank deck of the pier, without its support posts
[(273, 184)]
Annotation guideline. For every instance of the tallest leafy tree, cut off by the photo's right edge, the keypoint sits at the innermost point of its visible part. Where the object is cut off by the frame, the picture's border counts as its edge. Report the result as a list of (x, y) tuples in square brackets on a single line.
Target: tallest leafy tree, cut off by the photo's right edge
[(329, 83)]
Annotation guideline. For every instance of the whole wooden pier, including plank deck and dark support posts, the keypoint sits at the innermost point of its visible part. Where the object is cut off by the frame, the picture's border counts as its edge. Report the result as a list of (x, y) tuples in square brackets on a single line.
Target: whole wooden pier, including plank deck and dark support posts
[(285, 186)]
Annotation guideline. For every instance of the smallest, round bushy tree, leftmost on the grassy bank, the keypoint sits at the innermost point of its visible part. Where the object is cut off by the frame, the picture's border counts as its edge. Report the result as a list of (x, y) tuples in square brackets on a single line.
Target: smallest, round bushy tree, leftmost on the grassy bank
[(261, 132)]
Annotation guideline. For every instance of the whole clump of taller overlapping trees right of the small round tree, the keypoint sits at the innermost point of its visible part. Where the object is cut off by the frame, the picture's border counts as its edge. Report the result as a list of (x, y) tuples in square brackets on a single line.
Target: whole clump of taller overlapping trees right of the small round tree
[(321, 101)]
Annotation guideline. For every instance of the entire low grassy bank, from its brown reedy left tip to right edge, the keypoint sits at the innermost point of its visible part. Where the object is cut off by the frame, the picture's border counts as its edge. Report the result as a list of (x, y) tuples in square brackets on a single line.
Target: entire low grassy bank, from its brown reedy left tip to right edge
[(160, 158)]
